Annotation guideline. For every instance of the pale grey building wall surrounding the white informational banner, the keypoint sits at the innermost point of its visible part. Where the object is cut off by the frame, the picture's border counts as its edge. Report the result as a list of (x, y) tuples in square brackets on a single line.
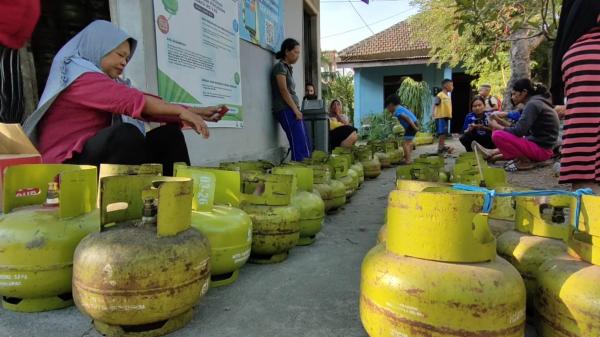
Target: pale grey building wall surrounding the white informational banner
[(261, 136)]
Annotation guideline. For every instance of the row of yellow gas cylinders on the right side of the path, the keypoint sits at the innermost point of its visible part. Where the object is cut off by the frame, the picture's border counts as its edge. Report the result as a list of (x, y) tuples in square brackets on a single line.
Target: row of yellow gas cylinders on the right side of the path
[(441, 265)]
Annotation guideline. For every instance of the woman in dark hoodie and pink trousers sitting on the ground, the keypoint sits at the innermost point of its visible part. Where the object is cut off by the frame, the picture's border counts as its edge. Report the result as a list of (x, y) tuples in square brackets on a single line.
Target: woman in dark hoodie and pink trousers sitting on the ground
[(532, 140)]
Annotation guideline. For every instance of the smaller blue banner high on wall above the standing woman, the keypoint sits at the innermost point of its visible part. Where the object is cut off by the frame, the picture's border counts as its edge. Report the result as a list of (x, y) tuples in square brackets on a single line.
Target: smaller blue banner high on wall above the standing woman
[(261, 23)]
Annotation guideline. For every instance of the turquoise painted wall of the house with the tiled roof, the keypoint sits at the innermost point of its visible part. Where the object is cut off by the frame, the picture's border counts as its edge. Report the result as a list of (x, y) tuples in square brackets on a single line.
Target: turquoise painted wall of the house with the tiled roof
[(368, 85)]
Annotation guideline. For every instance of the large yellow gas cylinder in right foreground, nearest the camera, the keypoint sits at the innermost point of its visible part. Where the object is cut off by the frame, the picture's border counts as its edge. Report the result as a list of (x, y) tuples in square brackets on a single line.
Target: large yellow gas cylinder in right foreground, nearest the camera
[(438, 274)]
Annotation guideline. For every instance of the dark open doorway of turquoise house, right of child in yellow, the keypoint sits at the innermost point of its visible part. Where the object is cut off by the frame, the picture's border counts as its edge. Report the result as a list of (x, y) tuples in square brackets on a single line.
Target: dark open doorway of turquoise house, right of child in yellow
[(461, 100)]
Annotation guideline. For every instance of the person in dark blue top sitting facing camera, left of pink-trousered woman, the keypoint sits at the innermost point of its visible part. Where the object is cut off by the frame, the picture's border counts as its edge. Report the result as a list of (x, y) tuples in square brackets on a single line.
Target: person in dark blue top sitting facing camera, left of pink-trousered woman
[(476, 126)]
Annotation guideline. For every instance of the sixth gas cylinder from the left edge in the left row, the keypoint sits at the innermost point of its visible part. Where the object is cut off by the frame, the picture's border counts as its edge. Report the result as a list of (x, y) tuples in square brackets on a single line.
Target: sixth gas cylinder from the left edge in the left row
[(333, 192)]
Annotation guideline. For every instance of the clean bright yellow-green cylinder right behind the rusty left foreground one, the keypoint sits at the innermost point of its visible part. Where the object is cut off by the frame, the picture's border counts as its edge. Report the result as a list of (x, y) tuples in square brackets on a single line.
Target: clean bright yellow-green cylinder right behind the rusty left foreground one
[(215, 214)]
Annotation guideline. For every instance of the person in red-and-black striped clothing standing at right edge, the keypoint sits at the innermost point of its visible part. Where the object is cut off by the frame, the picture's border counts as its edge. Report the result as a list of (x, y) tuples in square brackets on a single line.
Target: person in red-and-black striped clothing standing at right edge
[(576, 77)]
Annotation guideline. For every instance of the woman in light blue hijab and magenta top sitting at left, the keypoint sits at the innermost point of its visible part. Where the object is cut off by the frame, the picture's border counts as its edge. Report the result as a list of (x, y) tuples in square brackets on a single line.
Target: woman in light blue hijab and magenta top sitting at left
[(79, 117)]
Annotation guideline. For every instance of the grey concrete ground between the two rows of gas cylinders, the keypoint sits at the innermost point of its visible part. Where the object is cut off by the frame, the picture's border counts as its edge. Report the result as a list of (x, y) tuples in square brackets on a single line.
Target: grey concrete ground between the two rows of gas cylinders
[(314, 293)]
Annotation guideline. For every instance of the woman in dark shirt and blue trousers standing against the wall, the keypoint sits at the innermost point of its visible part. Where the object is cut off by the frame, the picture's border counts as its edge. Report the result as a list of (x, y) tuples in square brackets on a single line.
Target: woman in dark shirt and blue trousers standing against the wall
[(286, 105)]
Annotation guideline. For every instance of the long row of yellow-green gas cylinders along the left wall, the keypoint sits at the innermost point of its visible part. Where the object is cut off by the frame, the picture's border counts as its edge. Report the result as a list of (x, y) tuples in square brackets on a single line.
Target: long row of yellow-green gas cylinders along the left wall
[(136, 251)]
